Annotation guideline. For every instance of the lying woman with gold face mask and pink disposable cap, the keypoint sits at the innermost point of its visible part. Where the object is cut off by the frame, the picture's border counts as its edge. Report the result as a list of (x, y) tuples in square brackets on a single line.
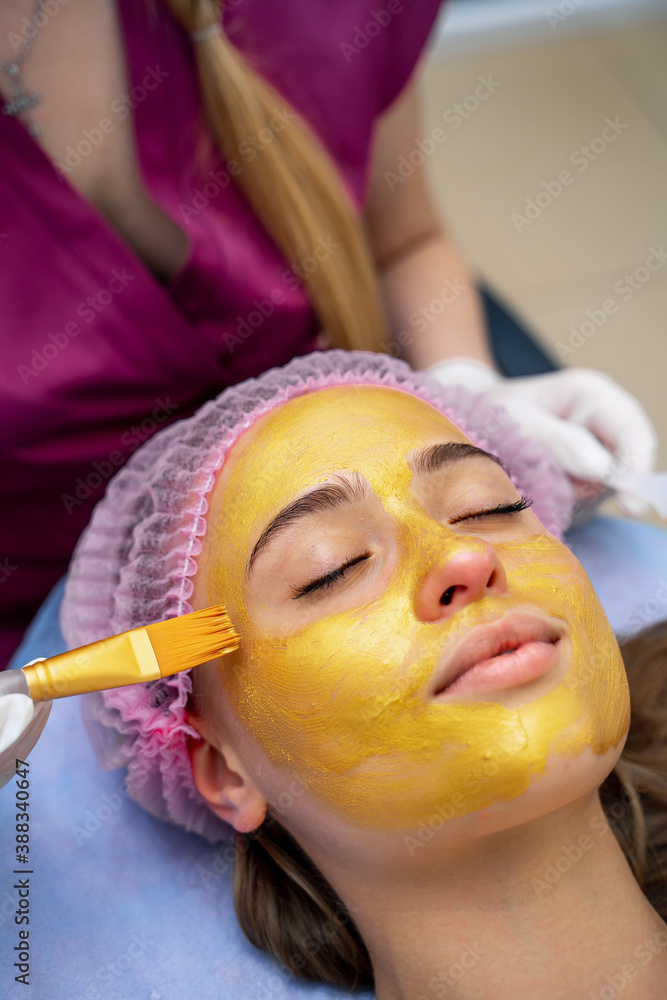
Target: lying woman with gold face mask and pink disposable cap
[(419, 741)]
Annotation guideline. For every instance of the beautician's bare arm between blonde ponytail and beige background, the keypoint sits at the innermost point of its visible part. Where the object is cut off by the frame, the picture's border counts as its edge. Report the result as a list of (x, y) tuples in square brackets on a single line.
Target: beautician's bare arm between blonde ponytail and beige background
[(434, 309)]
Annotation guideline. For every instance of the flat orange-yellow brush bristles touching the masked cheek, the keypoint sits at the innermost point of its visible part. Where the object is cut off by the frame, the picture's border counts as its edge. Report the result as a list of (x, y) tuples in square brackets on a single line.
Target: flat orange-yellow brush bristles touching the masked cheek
[(184, 642)]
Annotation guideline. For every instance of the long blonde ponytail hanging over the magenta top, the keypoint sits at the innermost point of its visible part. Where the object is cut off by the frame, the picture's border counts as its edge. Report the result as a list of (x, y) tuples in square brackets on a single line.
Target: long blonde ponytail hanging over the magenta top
[(293, 185)]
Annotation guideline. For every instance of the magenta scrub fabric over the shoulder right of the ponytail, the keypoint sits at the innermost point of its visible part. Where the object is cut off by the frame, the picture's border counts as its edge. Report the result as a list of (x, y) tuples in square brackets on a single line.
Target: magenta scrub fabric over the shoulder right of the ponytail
[(339, 63)]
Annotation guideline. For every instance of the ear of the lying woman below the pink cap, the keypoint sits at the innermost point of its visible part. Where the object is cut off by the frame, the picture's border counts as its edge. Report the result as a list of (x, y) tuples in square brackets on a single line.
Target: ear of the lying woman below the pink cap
[(221, 777)]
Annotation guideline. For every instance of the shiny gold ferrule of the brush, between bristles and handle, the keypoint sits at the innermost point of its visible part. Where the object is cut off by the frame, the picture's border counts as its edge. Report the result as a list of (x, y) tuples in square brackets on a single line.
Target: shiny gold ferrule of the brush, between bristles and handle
[(123, 659)]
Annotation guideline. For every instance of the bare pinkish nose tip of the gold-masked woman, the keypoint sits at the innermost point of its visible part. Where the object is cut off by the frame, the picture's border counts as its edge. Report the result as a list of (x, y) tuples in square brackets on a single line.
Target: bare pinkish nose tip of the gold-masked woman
[(465, 577)]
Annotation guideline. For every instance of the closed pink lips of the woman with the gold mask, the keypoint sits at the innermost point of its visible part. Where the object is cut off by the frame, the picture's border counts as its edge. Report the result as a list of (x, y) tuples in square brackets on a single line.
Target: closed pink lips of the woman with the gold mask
[(511, 651)]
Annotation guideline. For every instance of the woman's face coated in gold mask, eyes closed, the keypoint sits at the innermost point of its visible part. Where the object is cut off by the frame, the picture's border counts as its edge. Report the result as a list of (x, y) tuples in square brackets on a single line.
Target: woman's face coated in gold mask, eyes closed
[(380, 571)]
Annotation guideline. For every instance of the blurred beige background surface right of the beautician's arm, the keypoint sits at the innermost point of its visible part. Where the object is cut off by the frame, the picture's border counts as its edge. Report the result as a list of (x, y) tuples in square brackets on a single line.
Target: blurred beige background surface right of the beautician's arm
[(549, 99)]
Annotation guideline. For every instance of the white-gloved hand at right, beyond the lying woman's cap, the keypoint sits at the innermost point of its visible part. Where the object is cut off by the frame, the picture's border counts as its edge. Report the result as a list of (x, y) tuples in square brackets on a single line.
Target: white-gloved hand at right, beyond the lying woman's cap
[(594, 429)]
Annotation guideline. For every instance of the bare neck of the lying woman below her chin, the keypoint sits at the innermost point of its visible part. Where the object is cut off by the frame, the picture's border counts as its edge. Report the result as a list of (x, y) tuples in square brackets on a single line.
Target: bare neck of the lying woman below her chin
[(550, 910)]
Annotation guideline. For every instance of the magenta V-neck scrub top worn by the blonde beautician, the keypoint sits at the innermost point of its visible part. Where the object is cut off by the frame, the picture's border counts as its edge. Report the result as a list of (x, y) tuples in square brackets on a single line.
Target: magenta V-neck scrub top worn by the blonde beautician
[(97, 353)]
